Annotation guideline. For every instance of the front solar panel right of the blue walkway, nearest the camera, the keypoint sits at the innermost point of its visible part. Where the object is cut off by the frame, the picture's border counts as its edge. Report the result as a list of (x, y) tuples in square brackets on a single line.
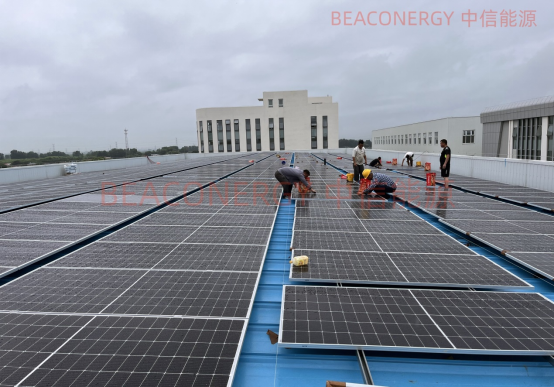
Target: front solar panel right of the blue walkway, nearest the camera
[(417, 320)]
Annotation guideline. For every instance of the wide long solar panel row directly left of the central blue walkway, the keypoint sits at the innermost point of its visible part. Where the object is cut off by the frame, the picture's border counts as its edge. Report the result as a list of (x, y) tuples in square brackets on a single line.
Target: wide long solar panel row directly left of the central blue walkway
[(162, 301)]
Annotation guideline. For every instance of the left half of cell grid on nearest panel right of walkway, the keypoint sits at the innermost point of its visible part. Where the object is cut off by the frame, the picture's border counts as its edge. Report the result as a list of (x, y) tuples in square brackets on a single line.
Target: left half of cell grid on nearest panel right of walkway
[(356, 317)]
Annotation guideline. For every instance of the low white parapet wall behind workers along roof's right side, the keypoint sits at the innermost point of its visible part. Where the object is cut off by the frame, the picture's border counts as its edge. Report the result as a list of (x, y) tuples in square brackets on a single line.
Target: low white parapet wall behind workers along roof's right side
[(527, 173)]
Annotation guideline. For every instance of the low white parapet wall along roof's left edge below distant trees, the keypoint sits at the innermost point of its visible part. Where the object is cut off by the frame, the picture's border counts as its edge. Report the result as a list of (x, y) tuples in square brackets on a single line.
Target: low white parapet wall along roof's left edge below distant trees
[(37, 172)]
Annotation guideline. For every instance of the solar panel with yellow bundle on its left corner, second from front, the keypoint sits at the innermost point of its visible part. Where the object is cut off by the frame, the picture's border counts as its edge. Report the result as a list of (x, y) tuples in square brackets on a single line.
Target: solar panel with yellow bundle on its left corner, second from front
[(404, 268)]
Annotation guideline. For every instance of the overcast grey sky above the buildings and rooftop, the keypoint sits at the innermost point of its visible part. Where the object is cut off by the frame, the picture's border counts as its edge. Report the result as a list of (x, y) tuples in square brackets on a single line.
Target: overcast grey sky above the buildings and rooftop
[(76, 73)]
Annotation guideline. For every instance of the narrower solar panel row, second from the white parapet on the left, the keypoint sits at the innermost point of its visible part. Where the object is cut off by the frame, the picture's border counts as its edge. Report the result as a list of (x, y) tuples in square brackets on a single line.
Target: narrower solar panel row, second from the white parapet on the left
[(29, 235)]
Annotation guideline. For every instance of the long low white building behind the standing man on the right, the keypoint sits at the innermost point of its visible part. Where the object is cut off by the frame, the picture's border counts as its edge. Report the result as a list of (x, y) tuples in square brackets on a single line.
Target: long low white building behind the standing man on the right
[(464, 136)]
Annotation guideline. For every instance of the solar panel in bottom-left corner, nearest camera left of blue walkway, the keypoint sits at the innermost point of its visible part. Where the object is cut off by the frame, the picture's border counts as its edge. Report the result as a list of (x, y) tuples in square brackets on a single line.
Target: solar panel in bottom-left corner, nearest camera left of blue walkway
[(118, 350)]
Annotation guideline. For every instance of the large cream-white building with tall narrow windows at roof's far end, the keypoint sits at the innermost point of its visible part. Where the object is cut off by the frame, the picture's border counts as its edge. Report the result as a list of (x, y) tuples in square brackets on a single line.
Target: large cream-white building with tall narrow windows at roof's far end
[(287, 120)]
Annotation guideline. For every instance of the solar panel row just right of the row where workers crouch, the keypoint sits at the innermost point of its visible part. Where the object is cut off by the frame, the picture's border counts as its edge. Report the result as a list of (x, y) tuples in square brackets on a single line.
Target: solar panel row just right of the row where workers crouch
[(524, 235)]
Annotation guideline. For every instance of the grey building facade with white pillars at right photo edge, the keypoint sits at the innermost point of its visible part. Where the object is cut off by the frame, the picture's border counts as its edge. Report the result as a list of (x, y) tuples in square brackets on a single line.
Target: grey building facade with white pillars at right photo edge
[(520, 130)]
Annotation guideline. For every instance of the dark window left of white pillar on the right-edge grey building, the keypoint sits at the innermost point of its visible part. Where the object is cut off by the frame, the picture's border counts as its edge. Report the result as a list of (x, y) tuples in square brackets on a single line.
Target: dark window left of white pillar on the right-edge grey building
[(528, 137)]
